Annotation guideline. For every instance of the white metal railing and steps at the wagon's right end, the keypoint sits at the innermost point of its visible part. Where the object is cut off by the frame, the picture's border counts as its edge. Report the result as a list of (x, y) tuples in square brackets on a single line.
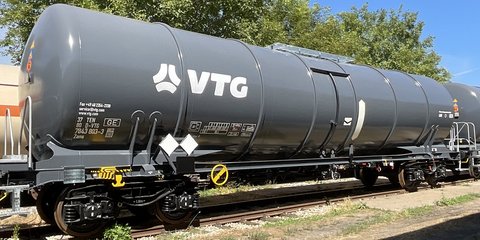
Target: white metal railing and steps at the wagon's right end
[(467, 142)]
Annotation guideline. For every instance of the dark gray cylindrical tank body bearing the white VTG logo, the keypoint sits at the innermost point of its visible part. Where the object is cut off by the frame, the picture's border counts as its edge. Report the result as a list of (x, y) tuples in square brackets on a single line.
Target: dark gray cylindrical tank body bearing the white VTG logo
[(94, 74)]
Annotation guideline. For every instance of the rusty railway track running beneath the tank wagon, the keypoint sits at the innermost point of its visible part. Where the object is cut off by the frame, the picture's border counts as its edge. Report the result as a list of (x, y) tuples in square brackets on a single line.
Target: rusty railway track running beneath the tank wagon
[(247, 210)]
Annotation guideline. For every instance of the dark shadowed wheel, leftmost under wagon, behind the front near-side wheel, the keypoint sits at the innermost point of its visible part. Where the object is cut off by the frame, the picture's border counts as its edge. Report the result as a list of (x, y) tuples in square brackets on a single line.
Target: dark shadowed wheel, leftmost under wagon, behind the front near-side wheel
[(45, 203)]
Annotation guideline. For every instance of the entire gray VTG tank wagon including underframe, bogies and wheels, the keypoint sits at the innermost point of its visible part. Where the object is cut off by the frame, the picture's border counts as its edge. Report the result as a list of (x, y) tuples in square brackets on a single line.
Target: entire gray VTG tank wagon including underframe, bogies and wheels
[(123, 112)]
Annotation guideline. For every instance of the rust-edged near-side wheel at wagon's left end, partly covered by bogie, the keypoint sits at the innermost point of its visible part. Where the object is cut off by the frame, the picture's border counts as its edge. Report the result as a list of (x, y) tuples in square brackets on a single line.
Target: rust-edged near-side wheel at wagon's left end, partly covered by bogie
[(80, 230)]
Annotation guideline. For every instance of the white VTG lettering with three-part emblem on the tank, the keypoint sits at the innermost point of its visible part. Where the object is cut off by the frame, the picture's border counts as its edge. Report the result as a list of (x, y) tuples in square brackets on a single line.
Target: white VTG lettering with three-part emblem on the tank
[(238, 88)]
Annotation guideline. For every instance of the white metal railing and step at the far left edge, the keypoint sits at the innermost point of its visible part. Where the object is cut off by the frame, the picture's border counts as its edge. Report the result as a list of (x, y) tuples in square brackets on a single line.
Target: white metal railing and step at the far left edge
[(9, 157)]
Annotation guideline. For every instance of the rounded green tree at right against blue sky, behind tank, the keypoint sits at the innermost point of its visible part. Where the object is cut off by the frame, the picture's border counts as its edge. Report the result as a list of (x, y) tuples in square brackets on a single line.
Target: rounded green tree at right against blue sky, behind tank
[(389, 39)]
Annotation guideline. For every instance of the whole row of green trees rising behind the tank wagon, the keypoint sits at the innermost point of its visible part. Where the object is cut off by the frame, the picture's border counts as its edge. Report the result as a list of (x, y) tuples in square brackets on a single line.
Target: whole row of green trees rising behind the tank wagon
[(390, 39)]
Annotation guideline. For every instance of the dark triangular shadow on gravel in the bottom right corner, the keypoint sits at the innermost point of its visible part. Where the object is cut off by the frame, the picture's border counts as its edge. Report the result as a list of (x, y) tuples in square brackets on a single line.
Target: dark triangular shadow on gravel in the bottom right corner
[(462, 228)]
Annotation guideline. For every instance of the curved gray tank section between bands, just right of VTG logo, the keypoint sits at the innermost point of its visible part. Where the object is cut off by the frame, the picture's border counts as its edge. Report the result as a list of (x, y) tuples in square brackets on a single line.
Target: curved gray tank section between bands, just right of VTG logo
[(289, 103)]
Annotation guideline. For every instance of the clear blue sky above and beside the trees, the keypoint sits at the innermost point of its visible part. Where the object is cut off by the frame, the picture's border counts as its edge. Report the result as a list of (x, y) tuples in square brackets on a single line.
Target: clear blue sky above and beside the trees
[(453, 24)]
